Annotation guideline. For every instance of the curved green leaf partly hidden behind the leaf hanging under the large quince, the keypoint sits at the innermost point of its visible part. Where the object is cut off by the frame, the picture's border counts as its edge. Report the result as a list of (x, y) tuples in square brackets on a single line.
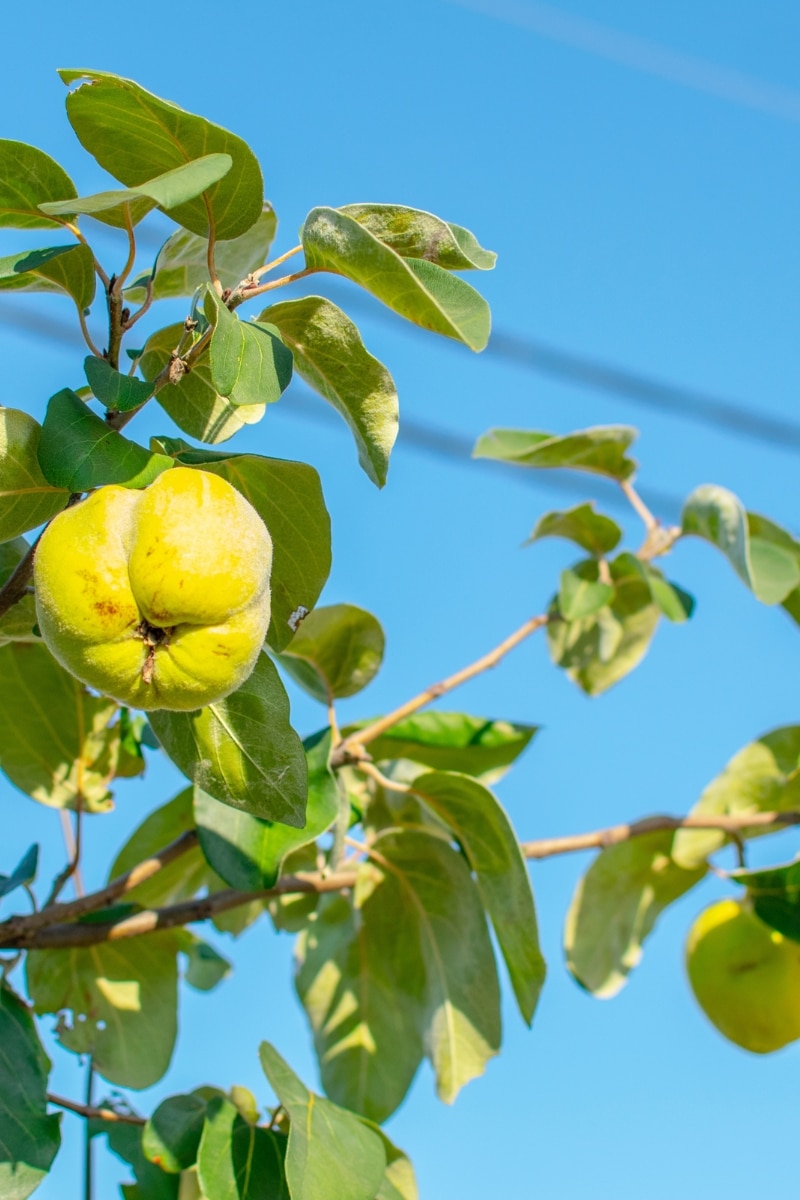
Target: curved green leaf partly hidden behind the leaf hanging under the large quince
[(249, 853)]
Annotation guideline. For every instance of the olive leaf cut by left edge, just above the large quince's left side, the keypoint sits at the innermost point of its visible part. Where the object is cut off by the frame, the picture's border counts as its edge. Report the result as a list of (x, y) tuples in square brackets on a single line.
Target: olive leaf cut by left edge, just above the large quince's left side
[(27, 499)]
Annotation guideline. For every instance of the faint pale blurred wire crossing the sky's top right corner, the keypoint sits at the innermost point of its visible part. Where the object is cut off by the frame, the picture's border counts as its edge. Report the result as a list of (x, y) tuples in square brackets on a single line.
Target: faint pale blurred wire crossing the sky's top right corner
[(642, 55)]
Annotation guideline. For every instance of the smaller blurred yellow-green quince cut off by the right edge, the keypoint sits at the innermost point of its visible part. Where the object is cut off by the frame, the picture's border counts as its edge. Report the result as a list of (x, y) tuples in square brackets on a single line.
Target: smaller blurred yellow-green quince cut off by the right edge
[(745, 977)]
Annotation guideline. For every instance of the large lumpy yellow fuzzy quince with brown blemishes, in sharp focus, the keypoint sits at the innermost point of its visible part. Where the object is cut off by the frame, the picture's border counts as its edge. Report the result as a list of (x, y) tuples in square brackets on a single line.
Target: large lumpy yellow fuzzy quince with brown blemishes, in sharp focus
[(158, 598)]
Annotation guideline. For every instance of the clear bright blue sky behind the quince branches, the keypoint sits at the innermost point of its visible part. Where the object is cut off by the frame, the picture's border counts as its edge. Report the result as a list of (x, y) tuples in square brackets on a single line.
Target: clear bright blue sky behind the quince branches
[(637, 220)]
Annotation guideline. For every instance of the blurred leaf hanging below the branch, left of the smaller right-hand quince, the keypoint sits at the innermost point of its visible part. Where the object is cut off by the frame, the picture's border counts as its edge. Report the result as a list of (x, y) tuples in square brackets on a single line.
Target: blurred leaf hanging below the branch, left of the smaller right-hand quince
[(617, 905)]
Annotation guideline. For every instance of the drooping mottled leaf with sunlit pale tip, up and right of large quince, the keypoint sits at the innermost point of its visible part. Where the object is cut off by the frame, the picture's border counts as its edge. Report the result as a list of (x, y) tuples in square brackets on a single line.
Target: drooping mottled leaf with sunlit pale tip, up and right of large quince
[(332, 358)]
